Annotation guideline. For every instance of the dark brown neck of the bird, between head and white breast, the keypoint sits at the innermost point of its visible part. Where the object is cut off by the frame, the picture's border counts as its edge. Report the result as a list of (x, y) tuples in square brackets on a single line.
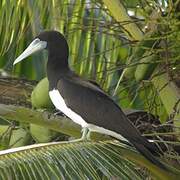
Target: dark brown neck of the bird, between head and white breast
[(57, 68)]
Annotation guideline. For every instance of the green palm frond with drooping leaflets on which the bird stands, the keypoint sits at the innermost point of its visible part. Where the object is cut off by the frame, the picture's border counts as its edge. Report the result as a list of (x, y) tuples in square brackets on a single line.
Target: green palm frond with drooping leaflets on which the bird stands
[(75, 160)]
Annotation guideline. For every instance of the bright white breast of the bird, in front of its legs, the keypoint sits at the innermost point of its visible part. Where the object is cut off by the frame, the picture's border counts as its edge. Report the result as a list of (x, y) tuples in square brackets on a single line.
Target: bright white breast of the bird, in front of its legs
[(60, 104)]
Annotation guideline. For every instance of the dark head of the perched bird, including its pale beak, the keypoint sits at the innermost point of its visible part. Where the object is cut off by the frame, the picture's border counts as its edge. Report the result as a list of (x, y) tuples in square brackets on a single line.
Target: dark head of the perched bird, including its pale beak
[(50, 40)]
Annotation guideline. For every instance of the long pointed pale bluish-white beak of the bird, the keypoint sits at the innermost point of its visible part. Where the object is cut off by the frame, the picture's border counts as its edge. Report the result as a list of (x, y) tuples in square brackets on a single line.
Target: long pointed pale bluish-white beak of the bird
[(35, 46)]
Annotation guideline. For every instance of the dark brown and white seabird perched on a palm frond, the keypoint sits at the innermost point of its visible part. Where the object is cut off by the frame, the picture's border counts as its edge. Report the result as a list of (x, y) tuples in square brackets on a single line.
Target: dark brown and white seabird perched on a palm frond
[(83, 101)]
